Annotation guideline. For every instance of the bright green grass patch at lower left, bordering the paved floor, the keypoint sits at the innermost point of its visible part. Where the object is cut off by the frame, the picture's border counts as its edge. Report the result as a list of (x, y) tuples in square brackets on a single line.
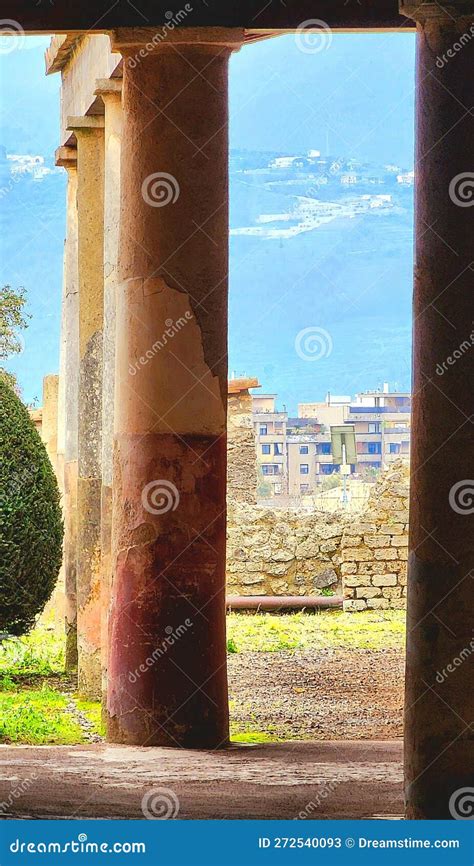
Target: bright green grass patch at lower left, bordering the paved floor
[(36, 717)]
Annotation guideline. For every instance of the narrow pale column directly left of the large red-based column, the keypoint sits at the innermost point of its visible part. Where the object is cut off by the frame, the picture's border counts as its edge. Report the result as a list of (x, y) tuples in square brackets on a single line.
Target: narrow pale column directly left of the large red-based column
[(110, 90)]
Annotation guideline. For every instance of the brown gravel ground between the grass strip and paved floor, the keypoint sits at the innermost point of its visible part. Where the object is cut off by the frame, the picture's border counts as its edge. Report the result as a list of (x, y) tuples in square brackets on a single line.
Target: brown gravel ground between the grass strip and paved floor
[(319, 694)]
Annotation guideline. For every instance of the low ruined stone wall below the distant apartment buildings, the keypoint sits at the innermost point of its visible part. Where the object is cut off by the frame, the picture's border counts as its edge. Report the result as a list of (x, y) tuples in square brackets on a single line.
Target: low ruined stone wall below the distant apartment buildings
[(362, 556)]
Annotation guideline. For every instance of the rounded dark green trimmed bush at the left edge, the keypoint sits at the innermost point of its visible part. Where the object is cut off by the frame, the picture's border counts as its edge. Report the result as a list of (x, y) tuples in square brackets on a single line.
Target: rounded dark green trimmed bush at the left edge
[(31, 529)]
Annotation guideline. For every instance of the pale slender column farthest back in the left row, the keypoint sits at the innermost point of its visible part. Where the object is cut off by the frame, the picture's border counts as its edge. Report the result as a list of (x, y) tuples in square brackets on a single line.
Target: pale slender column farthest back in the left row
[(68, 402)]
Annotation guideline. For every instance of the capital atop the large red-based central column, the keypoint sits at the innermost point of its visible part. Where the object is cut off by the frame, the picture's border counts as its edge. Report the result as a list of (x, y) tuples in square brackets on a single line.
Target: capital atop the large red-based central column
[(130, 40)]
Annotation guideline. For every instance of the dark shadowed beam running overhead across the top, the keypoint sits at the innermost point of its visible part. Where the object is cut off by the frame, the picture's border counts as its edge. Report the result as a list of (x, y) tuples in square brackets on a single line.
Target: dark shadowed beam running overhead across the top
[(101, 15)]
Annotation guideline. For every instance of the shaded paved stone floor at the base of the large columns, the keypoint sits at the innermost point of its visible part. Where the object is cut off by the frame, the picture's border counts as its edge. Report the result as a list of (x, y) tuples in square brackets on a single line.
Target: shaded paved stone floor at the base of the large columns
[(344, 779)]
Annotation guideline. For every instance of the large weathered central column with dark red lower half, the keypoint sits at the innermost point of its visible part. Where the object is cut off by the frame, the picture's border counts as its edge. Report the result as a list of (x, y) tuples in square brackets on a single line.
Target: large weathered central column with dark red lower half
[(167, 681)]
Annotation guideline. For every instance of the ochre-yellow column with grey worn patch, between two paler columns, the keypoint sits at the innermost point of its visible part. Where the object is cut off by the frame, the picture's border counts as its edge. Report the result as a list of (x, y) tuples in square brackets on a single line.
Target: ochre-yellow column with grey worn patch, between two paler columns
[(89, 132)]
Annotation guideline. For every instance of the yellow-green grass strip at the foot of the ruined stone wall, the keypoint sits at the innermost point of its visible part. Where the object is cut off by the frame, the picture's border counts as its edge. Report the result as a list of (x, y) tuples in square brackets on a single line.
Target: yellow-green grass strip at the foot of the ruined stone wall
[(265, 632)]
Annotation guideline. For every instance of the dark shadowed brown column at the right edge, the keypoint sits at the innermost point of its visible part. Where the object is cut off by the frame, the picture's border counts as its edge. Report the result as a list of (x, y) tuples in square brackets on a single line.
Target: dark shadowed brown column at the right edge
[(439, 738)]
